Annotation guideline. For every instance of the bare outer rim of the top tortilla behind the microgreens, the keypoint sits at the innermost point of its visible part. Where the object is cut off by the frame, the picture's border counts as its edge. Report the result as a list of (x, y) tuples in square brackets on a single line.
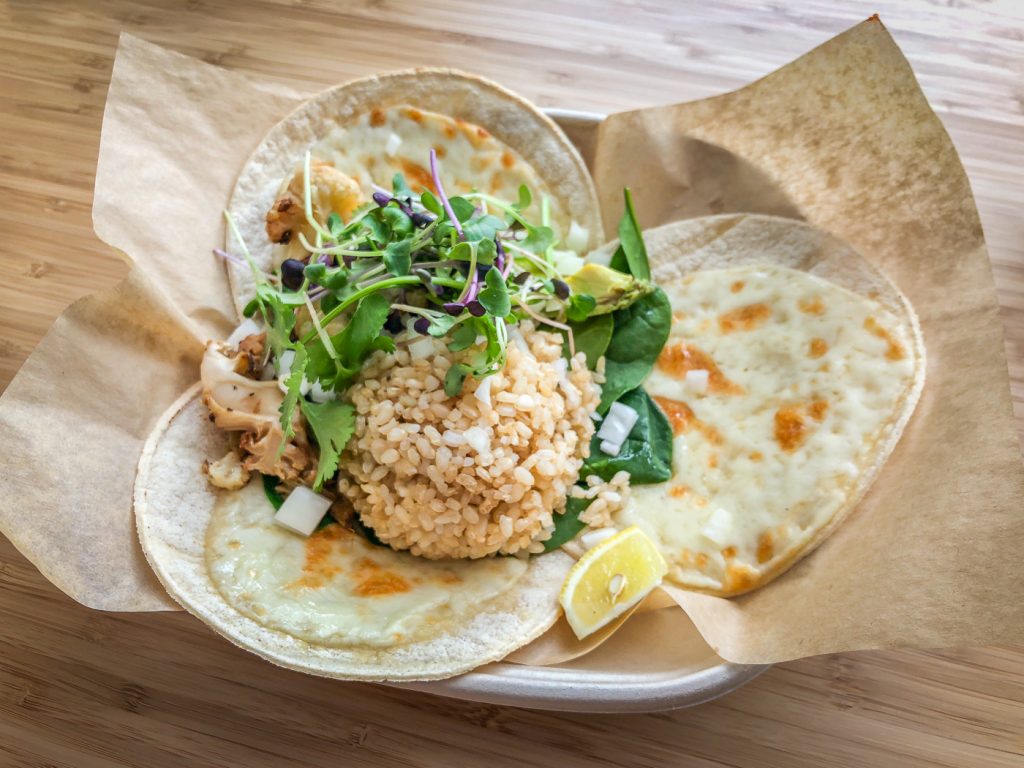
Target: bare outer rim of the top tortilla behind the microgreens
[(510, 119)]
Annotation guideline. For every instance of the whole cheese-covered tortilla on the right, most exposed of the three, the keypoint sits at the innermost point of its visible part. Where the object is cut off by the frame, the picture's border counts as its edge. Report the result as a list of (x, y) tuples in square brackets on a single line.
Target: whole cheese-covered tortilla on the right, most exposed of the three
[(814, 364)]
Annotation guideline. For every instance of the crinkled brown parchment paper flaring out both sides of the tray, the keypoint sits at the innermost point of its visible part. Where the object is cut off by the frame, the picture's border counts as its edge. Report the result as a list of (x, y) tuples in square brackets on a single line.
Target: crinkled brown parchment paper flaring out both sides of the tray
[(842, 138)]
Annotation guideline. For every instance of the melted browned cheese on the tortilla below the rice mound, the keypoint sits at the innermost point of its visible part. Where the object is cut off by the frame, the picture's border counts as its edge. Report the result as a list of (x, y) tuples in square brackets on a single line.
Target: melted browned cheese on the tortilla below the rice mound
[(335, 588)]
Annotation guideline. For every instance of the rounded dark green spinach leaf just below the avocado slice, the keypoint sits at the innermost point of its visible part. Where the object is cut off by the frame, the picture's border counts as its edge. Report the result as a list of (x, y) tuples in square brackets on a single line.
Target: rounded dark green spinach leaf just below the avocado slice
[(642, 331)]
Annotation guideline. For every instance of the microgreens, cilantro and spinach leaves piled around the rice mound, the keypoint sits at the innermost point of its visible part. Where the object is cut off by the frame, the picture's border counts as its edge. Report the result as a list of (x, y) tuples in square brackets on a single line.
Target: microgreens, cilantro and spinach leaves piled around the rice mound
[(460, 270)]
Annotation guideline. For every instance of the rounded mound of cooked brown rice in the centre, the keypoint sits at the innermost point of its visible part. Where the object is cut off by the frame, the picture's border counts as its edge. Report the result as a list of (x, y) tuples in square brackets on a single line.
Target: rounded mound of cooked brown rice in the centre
[(456, 477)]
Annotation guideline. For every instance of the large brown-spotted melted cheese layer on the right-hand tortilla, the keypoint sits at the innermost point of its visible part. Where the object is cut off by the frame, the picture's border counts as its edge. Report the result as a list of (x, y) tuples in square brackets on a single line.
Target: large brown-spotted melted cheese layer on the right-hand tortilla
[(804, 378)]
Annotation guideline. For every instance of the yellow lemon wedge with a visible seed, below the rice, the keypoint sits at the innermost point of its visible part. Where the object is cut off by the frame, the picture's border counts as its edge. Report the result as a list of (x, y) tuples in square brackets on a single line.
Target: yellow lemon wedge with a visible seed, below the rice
[(610, 580)]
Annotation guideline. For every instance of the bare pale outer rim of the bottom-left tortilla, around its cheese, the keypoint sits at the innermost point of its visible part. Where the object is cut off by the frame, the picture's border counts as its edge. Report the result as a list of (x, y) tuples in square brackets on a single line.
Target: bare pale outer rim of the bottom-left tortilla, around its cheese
[(174, 508)]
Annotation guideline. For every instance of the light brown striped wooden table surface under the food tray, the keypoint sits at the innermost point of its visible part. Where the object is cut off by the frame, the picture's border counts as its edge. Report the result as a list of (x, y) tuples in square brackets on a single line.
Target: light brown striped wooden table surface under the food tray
[(80, 689)]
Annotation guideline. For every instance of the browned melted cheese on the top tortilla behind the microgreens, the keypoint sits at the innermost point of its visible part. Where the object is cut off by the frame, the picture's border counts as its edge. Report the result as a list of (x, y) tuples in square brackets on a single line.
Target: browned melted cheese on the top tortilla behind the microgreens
[(379, 144)]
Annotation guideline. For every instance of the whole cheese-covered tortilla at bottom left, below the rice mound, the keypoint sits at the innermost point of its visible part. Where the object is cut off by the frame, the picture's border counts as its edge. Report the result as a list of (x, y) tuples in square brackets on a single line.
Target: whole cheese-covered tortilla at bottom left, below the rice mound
[(332, 605)]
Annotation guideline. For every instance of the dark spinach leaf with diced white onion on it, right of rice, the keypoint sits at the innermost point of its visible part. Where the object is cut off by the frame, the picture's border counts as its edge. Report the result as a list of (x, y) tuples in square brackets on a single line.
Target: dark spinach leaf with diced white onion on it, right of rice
[(647, 454)]
